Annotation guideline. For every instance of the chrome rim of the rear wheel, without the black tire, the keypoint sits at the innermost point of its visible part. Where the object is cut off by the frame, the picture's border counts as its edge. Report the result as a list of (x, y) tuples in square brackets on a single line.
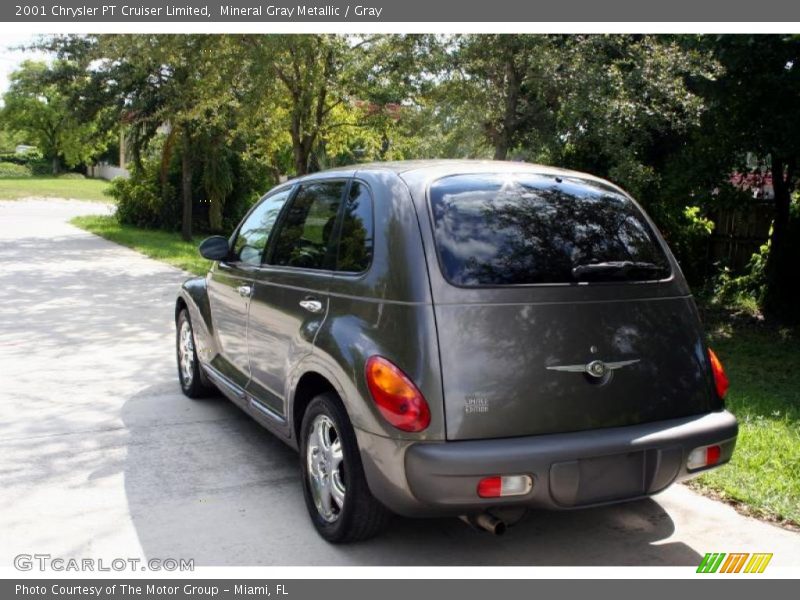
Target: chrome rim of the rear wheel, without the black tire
[(325, 468)]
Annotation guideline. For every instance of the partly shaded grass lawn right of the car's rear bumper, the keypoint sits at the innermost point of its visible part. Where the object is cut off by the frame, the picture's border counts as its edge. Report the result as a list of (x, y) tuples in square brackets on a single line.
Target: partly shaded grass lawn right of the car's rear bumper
[(764, 475)]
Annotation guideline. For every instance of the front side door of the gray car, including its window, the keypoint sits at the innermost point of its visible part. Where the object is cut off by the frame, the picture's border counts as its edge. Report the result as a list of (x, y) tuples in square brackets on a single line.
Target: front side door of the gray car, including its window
[(230, 287)]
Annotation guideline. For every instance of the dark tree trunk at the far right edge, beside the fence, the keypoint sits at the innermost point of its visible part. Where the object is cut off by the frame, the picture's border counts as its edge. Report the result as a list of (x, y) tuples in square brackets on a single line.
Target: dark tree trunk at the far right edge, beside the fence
[(782, 297)]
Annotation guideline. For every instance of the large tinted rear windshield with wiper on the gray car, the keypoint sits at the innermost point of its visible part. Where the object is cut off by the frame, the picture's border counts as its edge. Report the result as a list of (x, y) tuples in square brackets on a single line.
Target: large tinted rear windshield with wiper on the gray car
[(526, 229)]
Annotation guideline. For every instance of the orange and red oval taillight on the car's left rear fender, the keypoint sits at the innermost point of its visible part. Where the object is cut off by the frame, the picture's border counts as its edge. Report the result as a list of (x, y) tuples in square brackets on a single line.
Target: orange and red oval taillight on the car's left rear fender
[(396, 396)]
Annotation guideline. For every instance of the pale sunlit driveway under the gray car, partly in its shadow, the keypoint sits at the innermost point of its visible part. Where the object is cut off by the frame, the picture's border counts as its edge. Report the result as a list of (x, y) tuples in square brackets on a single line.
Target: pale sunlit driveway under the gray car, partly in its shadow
[(102, 456)]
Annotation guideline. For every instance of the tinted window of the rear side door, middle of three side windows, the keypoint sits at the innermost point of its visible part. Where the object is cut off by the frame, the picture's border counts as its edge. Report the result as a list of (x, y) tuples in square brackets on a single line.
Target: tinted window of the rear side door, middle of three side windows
[(304, 236)]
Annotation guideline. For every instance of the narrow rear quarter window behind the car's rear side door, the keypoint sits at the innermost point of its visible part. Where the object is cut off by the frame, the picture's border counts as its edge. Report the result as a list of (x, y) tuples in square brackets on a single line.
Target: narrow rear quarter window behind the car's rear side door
[(356, 241)]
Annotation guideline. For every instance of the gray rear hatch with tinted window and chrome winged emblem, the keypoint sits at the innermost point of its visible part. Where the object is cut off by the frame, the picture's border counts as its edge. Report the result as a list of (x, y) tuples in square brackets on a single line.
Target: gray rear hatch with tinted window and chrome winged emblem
[(558, 309)]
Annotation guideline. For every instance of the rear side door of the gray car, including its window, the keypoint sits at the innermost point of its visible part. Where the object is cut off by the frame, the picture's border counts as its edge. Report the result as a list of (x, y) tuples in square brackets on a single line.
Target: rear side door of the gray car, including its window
[(290, 295)]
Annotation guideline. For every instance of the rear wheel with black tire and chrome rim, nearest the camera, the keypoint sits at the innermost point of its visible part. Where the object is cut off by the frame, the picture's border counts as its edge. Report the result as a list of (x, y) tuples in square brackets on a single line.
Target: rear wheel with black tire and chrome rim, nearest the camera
[(350, 513)]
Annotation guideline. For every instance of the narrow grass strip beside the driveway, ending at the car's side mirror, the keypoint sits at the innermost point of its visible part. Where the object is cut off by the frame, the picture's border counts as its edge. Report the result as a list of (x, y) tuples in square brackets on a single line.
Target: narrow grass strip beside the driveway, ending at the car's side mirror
[(162, 245)]
